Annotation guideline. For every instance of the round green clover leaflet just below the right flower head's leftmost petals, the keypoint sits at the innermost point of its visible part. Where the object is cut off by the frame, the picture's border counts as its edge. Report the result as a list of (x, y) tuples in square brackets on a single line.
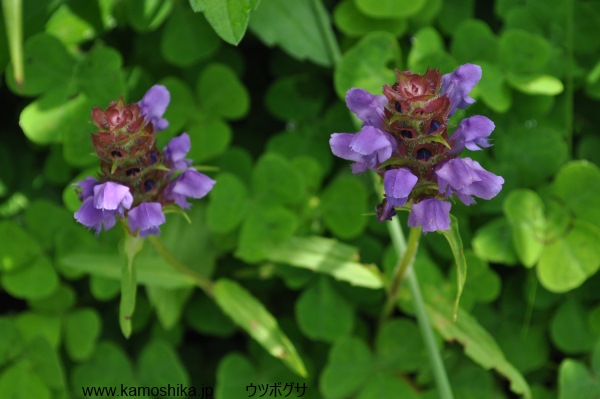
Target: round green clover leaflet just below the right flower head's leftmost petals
[(344, 205)]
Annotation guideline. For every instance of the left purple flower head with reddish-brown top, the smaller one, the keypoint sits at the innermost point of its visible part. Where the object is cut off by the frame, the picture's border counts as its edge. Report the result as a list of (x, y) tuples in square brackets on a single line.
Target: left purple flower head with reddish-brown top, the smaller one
[(136, 179)]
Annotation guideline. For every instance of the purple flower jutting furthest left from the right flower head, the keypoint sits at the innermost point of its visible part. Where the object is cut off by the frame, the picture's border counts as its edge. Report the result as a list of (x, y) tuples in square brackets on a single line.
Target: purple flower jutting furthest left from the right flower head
[(367, 148)]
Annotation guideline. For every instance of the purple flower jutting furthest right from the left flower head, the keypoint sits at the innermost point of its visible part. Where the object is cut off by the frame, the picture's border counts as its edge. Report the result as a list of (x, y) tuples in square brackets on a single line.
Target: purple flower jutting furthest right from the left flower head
[(189, 184)]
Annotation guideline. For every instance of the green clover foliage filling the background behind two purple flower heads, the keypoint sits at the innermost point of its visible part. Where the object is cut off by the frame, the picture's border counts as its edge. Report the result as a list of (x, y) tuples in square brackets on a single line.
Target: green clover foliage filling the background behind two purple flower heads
[(287, 230)]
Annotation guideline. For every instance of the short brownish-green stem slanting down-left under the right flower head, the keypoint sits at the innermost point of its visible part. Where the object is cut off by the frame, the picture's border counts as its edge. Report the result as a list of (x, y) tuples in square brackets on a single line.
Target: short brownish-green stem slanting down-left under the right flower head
[(405, 262)]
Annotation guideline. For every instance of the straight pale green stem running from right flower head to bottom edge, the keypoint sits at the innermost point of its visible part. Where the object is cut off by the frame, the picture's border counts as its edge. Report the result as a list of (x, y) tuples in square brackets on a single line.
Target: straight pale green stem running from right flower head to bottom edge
[(435, 359)]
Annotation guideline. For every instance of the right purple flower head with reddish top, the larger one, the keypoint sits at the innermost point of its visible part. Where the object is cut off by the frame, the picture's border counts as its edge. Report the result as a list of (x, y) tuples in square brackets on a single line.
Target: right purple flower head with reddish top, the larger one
[(405, 140)]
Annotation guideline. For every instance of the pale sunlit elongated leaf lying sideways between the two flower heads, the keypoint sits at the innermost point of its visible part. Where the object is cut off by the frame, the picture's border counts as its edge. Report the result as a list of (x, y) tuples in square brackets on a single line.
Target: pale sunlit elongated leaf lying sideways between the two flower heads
[(324, 255)]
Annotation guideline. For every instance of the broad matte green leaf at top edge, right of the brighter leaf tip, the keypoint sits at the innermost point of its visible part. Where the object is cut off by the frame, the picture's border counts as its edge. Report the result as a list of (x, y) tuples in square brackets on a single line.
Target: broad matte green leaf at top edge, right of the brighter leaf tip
[(293, 25)]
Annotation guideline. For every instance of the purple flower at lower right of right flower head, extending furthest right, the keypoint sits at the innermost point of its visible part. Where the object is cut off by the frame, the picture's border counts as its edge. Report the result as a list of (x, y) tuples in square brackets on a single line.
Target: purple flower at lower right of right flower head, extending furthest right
[(466, 177)]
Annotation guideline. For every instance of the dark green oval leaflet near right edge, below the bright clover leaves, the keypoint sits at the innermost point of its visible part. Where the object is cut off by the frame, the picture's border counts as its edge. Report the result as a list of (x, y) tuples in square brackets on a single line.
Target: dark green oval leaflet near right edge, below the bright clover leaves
[(570, 330)]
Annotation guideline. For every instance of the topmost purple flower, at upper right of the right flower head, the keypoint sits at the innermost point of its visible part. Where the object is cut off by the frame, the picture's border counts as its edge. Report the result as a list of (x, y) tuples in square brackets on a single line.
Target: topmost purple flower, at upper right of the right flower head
[(458, 84)]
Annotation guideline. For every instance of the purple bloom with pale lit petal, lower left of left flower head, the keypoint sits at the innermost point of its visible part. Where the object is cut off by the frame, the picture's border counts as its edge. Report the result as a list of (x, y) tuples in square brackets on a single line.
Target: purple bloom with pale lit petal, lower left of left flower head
[(101, 208)]
